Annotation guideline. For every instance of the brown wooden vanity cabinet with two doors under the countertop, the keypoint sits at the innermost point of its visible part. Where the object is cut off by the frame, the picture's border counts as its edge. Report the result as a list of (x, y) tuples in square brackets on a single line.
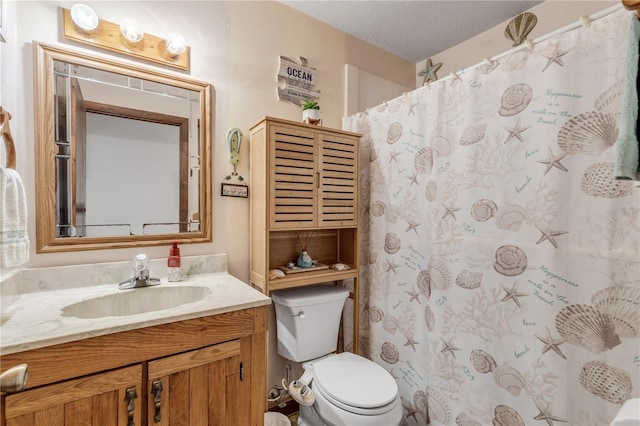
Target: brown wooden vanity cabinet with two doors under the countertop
[(212, 371)]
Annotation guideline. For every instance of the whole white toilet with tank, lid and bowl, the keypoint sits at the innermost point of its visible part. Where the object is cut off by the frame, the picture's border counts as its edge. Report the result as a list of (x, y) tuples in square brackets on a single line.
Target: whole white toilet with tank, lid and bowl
[(349, 389)]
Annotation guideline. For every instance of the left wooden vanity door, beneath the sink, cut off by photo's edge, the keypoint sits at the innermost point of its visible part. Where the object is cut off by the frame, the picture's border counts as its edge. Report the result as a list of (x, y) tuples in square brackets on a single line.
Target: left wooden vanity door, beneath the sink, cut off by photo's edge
[(105, 399)]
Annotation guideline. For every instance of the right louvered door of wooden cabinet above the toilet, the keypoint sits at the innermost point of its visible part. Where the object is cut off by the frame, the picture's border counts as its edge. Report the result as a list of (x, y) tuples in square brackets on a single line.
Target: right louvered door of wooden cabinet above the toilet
[(338, 181)]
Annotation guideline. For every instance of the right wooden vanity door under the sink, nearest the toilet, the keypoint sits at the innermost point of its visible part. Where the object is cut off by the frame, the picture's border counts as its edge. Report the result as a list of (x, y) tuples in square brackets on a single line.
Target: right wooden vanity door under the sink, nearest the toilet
[(198, 388)]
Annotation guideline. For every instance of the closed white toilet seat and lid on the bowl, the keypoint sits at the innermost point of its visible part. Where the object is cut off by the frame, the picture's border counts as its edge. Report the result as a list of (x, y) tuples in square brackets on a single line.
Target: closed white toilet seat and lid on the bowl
[(355, 384)]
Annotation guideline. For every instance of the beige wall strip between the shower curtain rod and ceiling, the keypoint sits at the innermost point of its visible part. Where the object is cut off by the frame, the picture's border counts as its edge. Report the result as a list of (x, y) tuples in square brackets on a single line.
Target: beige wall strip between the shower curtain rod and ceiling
[(552, 15)]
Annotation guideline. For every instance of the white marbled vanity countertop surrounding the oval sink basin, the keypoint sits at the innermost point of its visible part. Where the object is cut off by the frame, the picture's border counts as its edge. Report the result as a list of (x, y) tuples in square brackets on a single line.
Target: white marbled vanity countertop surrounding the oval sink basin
[(35, 319)]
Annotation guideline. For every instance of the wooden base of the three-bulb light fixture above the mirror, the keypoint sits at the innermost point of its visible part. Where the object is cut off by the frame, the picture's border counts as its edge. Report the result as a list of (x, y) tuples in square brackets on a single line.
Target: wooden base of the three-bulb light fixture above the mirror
[(107, 36)]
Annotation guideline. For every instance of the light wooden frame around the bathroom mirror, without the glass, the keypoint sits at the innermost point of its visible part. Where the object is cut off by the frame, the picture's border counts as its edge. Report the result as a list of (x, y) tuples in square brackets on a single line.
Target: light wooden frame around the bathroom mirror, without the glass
[(46, 237)]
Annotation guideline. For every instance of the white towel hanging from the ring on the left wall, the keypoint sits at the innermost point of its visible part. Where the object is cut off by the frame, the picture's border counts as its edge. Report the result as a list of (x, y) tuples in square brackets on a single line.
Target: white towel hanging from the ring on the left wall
[(14, 239)]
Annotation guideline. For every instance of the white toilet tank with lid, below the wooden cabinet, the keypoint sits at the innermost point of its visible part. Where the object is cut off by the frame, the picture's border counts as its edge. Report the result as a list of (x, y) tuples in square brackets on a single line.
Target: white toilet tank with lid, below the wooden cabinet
[(308, 320)]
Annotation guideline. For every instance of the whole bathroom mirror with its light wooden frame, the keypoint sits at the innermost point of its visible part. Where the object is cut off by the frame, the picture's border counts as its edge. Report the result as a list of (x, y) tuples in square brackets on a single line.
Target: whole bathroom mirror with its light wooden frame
[(123, 154)]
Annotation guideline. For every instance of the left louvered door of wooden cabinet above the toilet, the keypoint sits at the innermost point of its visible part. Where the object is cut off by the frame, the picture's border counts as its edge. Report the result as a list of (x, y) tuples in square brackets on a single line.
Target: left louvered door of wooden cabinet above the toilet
[(293, 178)]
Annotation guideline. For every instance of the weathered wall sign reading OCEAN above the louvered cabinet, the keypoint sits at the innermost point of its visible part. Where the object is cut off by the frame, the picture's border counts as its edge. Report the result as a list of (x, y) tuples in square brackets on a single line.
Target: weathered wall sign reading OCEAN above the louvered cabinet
[(296, 81)]
